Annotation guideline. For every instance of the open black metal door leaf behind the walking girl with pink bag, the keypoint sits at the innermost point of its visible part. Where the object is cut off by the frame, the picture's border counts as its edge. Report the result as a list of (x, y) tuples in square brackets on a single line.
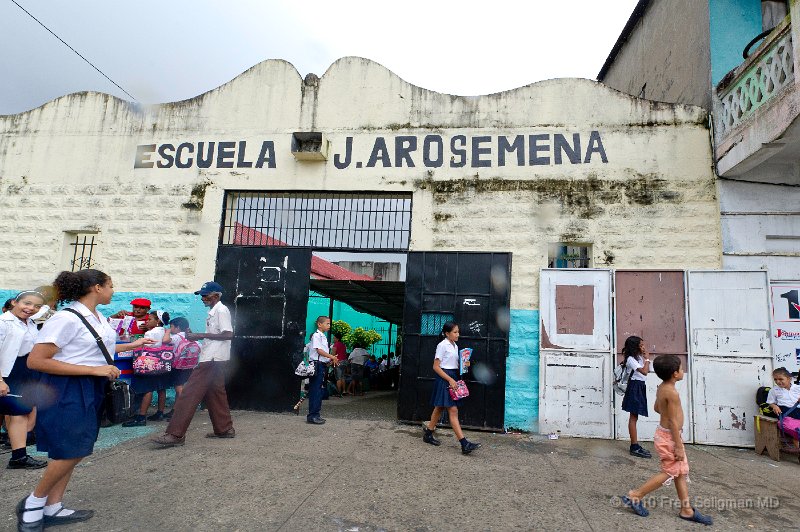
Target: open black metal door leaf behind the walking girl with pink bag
[(473, 289)]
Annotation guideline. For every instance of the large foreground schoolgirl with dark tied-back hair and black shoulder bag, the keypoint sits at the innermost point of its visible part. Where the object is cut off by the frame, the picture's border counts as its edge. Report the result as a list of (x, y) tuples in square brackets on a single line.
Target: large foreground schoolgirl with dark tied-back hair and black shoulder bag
[(74, 372)]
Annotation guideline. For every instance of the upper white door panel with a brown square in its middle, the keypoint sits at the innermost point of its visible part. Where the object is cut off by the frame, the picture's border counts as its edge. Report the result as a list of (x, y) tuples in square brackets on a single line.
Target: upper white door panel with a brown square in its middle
[(575, 308)]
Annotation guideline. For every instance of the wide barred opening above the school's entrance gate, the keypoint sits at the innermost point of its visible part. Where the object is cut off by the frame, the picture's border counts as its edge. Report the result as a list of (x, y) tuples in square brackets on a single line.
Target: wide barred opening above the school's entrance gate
[(320, 220)]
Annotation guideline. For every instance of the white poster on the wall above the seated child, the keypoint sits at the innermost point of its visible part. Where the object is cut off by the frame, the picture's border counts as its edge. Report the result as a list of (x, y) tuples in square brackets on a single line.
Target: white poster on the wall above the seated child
[(786, 325)]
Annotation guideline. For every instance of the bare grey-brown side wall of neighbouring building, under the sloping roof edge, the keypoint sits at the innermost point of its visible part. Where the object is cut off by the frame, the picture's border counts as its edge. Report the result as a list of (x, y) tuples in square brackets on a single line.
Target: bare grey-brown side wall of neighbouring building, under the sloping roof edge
[(669, 50)]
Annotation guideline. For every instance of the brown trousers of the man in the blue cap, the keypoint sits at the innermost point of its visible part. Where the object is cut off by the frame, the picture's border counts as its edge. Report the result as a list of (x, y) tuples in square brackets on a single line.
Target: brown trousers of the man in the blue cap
[(207, 384)]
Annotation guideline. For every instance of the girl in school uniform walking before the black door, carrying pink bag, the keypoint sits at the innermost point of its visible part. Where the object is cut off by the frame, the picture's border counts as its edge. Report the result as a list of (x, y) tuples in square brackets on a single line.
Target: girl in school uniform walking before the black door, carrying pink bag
[(445, 365)]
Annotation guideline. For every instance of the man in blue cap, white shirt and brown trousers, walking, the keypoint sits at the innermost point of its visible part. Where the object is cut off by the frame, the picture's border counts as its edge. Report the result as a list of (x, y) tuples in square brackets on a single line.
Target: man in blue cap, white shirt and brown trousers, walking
[(207, 382)]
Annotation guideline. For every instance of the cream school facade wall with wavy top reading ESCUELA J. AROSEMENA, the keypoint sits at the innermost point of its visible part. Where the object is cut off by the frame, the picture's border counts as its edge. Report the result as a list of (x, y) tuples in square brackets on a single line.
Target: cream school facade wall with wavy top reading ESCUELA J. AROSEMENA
[(639, 188)]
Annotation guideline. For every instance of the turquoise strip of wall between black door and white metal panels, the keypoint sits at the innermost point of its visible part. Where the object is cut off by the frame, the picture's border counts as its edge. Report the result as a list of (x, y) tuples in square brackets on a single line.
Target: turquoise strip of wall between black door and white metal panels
[(522, 371)]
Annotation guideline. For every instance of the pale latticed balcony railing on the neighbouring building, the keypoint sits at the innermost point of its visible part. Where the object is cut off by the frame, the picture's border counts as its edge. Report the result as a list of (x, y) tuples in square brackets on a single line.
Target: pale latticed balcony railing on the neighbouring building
[(763, 75)]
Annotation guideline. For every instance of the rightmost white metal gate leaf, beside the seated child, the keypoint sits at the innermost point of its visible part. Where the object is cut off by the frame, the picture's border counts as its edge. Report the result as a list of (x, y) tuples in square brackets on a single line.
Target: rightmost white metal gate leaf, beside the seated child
[(730, 352)]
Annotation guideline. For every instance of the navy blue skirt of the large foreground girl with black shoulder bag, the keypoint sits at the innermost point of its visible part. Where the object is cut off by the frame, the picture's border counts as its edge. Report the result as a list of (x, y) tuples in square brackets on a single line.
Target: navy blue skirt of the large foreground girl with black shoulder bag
[(68, 419)]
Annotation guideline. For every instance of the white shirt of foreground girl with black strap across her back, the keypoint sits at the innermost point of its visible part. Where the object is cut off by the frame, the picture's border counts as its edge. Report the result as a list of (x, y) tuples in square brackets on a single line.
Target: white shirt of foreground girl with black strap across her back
[(75, 343)]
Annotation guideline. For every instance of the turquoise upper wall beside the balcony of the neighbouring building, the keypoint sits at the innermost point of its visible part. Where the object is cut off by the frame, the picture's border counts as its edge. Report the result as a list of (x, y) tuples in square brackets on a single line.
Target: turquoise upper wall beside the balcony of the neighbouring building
[(734, 23)]
